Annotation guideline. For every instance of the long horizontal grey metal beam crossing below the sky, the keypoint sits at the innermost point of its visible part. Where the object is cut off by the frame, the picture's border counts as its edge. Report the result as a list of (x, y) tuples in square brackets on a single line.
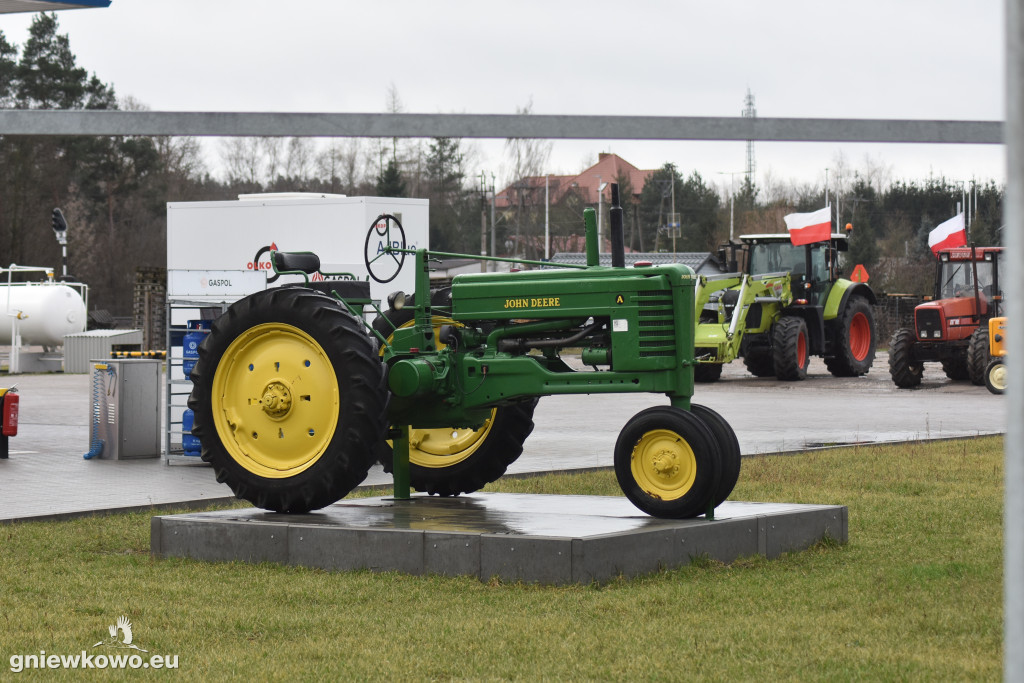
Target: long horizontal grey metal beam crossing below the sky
[(60, 122)]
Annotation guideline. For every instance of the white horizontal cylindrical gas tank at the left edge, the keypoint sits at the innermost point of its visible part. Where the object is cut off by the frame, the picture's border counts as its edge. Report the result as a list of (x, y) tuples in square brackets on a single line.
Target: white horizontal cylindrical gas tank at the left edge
[(49, 312)]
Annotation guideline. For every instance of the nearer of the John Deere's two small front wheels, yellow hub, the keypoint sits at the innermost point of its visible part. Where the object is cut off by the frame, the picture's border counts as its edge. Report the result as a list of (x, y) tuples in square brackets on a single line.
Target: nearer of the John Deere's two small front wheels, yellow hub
[(668, 463)]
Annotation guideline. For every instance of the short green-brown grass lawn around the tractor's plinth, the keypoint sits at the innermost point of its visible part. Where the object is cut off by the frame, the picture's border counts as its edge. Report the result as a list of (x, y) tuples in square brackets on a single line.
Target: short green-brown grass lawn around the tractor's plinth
[(915, 595)]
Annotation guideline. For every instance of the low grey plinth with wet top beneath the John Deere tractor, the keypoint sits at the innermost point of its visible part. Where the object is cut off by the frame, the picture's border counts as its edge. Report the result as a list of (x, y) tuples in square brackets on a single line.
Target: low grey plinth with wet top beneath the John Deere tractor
[(514, 537)]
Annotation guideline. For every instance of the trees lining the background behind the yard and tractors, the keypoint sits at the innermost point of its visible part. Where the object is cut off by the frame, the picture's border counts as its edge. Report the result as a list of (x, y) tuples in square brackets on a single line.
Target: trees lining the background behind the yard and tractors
[(114, 190)]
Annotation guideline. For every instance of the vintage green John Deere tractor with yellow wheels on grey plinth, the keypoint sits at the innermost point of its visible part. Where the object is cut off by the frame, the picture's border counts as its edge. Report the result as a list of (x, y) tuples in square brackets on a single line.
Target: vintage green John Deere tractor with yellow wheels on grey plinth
[(296, 396)]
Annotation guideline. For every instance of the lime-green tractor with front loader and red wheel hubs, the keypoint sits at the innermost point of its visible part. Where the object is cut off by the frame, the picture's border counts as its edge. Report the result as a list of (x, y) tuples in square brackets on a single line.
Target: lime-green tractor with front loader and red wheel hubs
[(788, 305)]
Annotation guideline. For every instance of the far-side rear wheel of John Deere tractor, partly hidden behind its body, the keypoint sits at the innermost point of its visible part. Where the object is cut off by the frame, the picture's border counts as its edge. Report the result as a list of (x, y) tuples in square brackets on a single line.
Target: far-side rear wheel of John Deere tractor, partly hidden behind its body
[(451, 473)]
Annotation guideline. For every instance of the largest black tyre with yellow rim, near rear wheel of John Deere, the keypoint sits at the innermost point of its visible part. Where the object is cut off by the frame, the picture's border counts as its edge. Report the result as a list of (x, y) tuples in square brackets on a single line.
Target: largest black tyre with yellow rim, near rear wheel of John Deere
[(320, 401)]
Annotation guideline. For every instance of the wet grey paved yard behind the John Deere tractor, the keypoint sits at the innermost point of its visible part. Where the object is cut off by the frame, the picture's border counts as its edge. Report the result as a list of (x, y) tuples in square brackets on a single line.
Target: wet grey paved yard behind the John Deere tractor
[(47, 478)]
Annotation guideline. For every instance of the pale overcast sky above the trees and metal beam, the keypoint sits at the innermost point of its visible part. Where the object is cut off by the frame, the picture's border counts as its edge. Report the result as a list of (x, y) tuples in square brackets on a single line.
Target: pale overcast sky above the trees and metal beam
[(872, 59)]
